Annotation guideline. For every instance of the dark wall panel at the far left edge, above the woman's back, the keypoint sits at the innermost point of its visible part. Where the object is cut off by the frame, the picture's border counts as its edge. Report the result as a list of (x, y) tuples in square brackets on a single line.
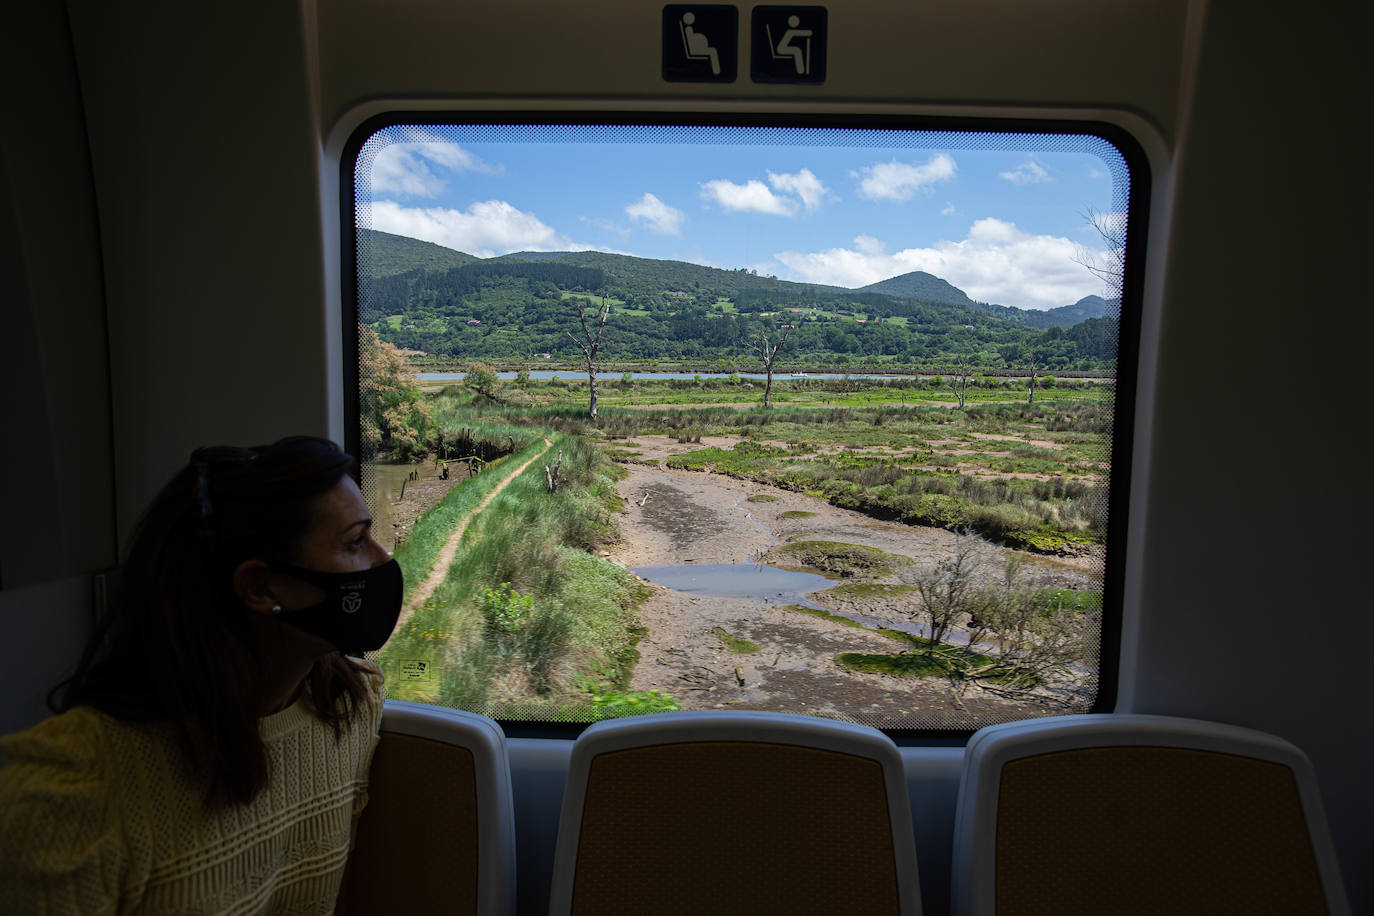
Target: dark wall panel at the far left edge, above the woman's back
[(56, 470)]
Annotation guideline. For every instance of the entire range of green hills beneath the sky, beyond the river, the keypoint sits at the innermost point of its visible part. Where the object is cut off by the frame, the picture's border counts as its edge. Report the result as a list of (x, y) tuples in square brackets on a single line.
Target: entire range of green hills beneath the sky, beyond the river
[(515, 307)]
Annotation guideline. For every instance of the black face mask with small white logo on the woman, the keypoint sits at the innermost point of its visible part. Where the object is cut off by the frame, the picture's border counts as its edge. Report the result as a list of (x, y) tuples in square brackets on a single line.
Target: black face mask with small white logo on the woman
[(359, 610)]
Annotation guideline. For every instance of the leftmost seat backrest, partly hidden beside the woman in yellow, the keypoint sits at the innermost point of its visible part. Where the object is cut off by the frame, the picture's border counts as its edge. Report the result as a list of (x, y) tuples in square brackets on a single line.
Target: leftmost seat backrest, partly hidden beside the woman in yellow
[(439, 830)]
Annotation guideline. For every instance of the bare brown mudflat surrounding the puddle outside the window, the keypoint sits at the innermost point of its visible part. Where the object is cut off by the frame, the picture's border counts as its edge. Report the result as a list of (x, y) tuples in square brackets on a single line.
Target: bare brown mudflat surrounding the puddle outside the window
[(692, 517)]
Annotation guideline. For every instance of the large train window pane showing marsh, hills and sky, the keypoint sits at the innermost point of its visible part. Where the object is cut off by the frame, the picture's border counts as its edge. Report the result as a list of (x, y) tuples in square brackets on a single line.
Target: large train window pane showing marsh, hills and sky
[(822, 417)]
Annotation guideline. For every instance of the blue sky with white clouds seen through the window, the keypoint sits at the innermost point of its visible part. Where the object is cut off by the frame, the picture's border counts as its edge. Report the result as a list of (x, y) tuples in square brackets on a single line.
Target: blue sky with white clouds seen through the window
[(1005, 226)]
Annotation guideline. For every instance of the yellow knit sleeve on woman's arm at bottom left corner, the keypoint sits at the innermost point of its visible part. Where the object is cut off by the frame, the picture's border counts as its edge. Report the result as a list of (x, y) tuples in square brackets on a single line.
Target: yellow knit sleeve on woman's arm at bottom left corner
[(63, 848)]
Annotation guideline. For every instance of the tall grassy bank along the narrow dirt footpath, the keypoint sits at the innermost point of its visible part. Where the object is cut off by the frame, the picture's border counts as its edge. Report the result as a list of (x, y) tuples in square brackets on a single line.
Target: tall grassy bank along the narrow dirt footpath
[(528, 623)]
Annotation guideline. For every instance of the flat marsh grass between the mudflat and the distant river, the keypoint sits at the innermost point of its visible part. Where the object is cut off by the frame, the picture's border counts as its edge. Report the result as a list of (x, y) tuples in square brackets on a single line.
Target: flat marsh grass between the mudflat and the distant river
[(1030, 476)]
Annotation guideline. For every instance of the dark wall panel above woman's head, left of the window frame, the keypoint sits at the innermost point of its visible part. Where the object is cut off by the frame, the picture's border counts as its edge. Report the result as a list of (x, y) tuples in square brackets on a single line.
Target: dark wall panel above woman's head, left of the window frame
[(201, 124)]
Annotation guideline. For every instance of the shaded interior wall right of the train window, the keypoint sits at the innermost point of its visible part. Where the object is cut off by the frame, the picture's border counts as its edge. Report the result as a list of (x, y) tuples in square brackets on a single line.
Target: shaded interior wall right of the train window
[(1252, 605)]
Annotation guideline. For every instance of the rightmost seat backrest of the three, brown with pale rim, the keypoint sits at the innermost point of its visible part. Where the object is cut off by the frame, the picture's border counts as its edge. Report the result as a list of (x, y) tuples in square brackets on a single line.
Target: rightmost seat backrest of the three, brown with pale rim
[(1140, 815)]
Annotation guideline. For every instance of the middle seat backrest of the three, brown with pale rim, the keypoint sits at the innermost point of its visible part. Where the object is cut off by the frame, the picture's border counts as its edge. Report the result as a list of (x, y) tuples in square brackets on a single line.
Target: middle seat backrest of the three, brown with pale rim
[(723, 812)]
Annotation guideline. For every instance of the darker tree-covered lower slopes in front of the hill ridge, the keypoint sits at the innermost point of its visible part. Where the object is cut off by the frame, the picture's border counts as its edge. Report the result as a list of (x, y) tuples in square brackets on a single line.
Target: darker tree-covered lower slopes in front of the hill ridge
[(520, 310)]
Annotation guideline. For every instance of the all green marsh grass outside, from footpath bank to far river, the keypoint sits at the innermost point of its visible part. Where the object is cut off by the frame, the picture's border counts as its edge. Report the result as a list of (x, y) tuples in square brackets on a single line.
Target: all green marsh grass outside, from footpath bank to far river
[(532, 624)]
